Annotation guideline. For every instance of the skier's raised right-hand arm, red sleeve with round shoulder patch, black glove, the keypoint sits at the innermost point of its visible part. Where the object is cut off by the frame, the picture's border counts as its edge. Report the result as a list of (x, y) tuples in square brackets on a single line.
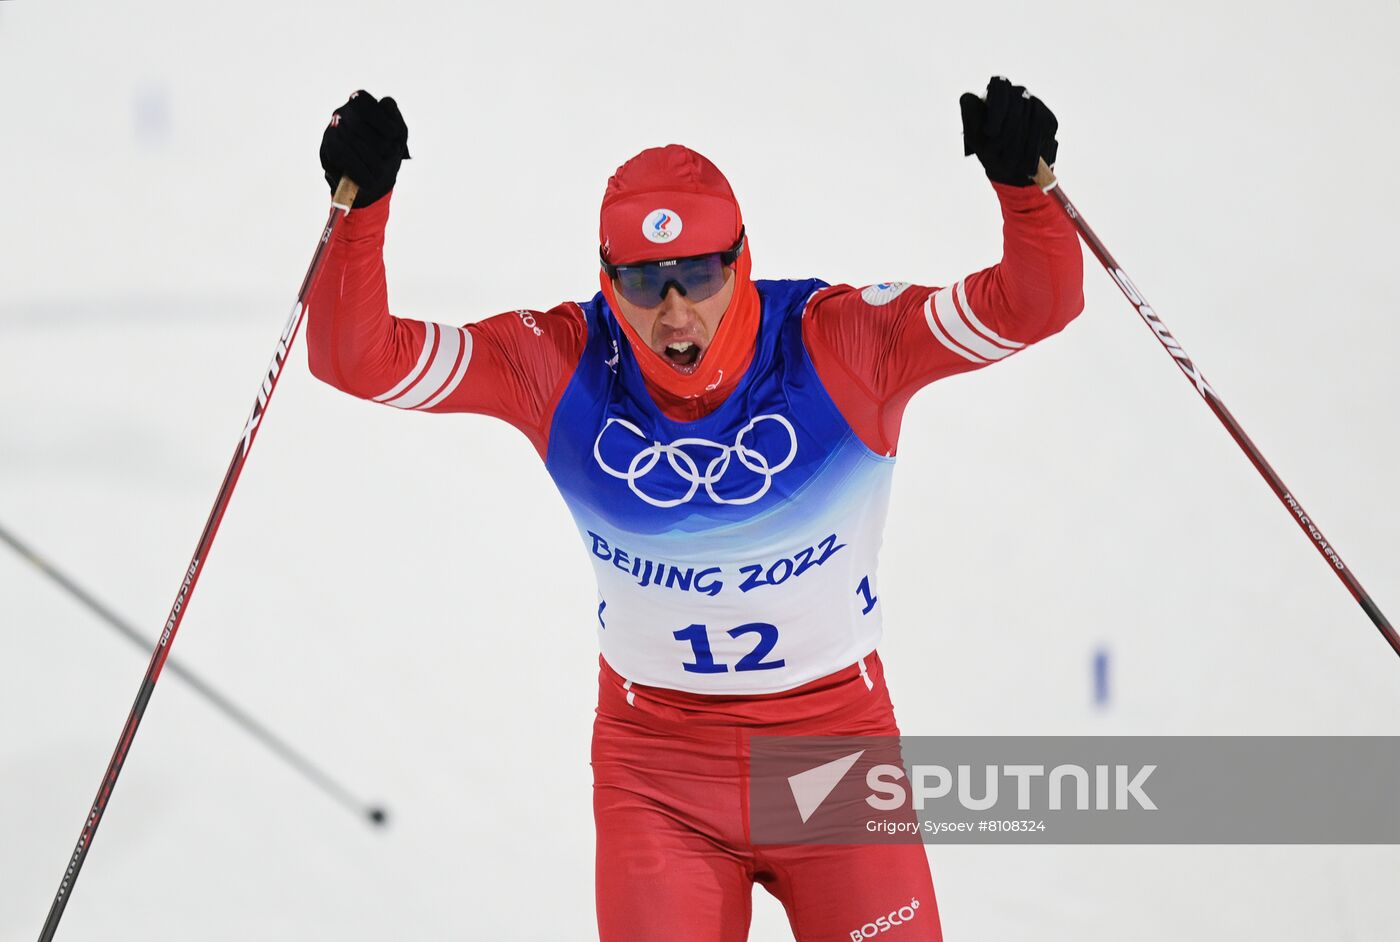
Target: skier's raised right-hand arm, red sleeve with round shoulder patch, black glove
[(877, 346)]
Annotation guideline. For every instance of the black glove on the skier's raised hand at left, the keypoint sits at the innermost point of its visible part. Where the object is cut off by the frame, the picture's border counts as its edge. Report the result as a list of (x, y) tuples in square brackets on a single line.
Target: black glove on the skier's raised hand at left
[(366, 141)]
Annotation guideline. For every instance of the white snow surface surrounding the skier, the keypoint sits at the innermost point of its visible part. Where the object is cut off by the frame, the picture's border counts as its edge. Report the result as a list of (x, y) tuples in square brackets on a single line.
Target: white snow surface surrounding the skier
[(404, 597)]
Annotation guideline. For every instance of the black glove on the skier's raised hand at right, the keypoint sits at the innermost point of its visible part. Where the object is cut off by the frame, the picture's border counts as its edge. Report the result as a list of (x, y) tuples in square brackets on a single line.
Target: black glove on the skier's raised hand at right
[(1010, 131)]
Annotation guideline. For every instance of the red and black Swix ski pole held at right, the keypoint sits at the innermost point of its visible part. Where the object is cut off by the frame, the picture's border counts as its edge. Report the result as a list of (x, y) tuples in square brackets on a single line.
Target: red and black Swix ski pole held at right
[(1048, 183)]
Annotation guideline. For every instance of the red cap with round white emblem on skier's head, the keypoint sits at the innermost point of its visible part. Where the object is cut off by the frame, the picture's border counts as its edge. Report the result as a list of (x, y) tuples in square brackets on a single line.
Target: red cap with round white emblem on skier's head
[(667, 204)]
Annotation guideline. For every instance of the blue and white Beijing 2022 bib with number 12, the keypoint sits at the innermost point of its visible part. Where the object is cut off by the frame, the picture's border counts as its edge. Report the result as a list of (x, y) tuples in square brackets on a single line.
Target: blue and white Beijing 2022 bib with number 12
[(736, 554)]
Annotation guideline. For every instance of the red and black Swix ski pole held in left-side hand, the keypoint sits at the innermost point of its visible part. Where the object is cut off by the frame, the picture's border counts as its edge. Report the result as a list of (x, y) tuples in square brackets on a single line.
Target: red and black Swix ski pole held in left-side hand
[(341, 204)]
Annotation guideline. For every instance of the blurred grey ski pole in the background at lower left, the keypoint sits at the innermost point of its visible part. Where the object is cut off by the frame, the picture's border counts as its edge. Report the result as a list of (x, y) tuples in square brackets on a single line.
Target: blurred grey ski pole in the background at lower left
[(293, 758)]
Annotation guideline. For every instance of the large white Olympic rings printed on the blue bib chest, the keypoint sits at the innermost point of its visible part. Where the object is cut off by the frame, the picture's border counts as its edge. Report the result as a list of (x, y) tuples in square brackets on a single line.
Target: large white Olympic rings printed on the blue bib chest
[(687, 467)]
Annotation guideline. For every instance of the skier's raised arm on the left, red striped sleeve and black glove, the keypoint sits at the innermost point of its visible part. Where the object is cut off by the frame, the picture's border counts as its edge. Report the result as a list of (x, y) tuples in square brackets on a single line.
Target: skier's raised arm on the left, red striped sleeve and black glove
[(512, 366)]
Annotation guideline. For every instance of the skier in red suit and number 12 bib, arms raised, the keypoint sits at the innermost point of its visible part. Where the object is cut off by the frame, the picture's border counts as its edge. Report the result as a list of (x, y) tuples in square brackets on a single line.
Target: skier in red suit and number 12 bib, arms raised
[(726, 447)]
